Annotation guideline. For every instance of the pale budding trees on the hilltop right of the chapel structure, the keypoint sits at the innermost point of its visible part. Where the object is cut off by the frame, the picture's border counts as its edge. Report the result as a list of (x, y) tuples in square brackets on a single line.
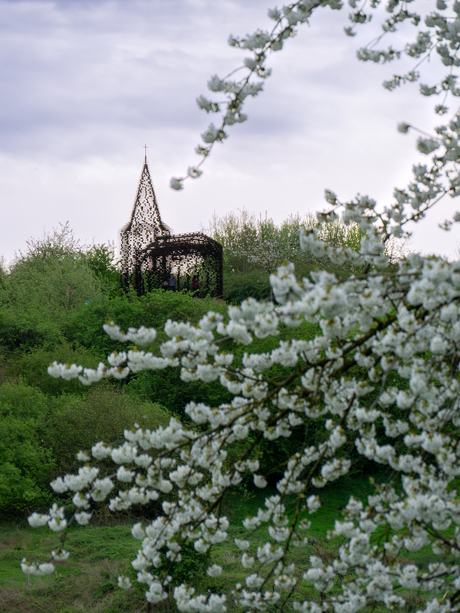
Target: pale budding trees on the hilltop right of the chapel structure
[(255, 247)]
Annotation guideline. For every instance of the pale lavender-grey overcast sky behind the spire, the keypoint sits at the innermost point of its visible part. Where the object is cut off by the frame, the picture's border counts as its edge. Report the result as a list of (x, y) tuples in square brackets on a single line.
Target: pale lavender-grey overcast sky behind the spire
[(86, 83)]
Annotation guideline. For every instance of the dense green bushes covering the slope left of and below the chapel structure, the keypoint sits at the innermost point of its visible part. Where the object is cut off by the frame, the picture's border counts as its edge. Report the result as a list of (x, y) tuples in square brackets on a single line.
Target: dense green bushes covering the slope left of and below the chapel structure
[(54, 300)]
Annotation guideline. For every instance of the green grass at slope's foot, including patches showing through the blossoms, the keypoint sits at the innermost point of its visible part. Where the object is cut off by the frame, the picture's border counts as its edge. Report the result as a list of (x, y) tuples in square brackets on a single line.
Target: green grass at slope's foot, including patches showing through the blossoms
[(87, 581)]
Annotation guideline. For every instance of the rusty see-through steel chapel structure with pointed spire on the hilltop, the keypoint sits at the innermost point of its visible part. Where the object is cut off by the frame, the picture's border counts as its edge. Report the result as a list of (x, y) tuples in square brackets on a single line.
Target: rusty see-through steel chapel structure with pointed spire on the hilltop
[(152, 257)]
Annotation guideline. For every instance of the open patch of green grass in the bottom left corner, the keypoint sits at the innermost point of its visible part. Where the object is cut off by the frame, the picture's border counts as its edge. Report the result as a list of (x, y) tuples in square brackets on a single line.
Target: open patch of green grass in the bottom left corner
[(87, 581)]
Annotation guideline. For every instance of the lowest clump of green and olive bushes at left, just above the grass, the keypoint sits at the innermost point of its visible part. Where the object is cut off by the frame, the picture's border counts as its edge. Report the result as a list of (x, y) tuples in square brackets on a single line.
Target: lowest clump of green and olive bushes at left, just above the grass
[(40, 435)]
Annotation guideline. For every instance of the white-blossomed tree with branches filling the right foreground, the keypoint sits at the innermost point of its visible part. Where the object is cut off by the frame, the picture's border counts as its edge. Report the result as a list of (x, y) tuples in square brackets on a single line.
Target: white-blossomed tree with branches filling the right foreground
[(401, 322)]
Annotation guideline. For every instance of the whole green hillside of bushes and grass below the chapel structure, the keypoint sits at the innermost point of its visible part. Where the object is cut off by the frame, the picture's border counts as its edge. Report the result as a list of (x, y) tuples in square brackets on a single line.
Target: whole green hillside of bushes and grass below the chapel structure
[(53, 308)]
